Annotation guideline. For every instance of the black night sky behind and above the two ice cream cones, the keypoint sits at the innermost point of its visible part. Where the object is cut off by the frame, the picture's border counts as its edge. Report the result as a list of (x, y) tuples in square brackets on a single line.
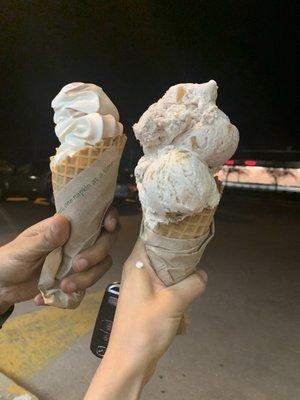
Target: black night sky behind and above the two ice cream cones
[(135, 50)]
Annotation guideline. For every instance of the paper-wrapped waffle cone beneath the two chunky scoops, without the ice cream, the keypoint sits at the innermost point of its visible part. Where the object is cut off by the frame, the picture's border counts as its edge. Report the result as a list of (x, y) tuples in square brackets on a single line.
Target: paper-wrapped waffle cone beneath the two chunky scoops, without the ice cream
[(175, 249)]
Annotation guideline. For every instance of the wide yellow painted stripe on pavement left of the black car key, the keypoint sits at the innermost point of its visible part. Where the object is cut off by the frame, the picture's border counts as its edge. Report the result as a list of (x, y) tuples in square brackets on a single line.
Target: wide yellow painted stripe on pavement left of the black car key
[(30, 341)]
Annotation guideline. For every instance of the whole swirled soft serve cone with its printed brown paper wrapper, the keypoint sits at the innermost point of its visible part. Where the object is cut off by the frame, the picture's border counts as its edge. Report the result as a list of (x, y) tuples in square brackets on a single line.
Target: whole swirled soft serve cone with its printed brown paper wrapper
[(84, 171)]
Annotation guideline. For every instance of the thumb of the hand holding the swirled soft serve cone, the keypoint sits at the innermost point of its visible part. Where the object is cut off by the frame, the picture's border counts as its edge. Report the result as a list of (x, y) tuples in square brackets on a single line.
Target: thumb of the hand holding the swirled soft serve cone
[(52, 233)]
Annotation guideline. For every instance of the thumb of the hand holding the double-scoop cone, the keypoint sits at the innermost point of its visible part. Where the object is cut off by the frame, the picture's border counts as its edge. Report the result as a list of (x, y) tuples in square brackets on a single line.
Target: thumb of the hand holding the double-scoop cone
[(188, 290)]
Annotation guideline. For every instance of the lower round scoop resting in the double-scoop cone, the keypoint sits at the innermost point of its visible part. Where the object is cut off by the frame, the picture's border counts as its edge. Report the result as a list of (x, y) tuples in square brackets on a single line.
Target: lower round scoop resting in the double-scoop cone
[(174, 184)]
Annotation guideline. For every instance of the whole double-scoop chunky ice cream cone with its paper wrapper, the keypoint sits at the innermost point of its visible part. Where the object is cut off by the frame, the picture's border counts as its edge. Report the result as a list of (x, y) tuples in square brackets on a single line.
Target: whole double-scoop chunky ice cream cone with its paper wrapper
[(186, 139)]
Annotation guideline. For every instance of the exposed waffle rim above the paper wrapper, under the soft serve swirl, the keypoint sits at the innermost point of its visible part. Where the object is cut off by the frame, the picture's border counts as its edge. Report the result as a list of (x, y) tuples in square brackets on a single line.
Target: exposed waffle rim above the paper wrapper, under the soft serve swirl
[(71, 166)]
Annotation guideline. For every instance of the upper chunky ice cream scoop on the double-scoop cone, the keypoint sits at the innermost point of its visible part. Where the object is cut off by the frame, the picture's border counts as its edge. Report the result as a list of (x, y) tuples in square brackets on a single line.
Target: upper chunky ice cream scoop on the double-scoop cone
[(188, 116)]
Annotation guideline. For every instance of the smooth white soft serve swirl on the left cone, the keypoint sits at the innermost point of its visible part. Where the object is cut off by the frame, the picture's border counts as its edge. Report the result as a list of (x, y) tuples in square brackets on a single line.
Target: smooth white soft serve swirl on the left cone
[(84, 115)]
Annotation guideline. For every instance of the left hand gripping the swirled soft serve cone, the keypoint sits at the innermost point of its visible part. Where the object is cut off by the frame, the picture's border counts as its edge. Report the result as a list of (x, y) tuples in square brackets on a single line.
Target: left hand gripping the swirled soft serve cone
[(21, 260)]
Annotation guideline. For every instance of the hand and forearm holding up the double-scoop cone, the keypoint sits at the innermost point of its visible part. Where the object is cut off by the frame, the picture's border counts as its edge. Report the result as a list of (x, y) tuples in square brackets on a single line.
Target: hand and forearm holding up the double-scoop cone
[(146, 322)]
